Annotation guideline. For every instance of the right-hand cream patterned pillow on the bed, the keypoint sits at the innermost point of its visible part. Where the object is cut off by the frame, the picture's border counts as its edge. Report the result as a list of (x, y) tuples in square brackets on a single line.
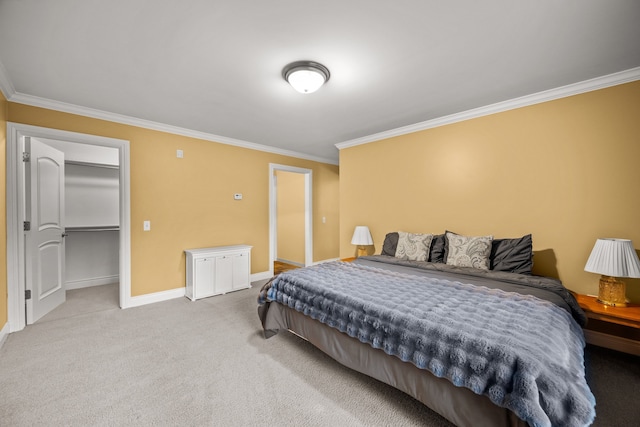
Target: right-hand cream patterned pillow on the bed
[(465, 251)]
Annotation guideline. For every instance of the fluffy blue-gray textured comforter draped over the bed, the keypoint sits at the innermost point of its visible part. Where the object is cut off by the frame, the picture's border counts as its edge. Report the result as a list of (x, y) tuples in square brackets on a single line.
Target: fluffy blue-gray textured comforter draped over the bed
[(524, 353)]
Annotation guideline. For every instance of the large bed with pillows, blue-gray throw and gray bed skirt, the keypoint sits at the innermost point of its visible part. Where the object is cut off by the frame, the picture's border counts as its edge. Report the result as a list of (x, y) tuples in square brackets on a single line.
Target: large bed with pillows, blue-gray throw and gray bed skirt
[(457, 322)]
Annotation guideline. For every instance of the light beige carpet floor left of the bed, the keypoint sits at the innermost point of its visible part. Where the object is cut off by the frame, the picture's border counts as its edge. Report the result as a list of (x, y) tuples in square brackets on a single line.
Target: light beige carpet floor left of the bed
[(184, 363)]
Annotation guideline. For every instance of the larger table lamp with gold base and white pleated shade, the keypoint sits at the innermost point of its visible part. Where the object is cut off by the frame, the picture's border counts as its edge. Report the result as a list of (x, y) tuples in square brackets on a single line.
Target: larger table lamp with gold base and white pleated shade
[(613, 258)]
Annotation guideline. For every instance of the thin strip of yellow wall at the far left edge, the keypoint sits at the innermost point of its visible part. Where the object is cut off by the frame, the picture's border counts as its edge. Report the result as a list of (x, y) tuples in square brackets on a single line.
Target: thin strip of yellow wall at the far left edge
[(4, 106)]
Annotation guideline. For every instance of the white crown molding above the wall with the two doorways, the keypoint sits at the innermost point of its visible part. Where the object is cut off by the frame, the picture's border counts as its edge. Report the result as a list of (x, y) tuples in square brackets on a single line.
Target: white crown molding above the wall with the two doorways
[(64, 107)]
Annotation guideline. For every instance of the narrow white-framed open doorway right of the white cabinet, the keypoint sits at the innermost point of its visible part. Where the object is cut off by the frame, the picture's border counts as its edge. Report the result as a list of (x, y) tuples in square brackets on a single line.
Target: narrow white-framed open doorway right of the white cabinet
[(301, 231)]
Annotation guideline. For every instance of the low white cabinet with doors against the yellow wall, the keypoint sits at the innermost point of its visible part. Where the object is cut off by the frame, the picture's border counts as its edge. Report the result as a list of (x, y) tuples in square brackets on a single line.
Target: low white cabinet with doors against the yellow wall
[(215, 271)]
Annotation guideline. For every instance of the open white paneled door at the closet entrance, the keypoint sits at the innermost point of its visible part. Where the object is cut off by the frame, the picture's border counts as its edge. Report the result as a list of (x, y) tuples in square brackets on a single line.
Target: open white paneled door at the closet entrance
[(44, 241)]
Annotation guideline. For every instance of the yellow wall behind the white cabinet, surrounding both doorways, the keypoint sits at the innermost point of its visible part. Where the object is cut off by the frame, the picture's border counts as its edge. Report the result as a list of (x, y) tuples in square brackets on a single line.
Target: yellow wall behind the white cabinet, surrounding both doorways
[(190, 201)]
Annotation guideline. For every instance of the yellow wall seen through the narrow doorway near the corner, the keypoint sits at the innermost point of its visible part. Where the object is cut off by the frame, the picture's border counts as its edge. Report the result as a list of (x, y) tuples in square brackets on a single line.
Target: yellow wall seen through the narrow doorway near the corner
[(290, 208)]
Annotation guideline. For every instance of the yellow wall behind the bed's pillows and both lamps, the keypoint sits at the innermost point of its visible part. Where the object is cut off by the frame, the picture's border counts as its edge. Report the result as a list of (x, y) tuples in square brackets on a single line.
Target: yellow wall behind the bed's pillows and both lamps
[(566, 171)]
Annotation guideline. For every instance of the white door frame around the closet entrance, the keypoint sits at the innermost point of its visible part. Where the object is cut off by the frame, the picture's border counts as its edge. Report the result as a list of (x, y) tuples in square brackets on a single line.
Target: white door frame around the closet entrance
[(16, 258)]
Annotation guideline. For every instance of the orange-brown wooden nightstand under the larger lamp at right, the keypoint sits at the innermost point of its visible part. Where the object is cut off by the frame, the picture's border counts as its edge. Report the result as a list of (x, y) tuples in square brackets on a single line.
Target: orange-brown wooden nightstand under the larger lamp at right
[(617, 328)]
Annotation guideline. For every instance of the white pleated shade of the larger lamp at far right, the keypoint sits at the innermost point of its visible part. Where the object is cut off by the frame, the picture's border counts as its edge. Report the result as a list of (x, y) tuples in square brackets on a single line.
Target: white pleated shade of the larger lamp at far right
[(615, 258)]
